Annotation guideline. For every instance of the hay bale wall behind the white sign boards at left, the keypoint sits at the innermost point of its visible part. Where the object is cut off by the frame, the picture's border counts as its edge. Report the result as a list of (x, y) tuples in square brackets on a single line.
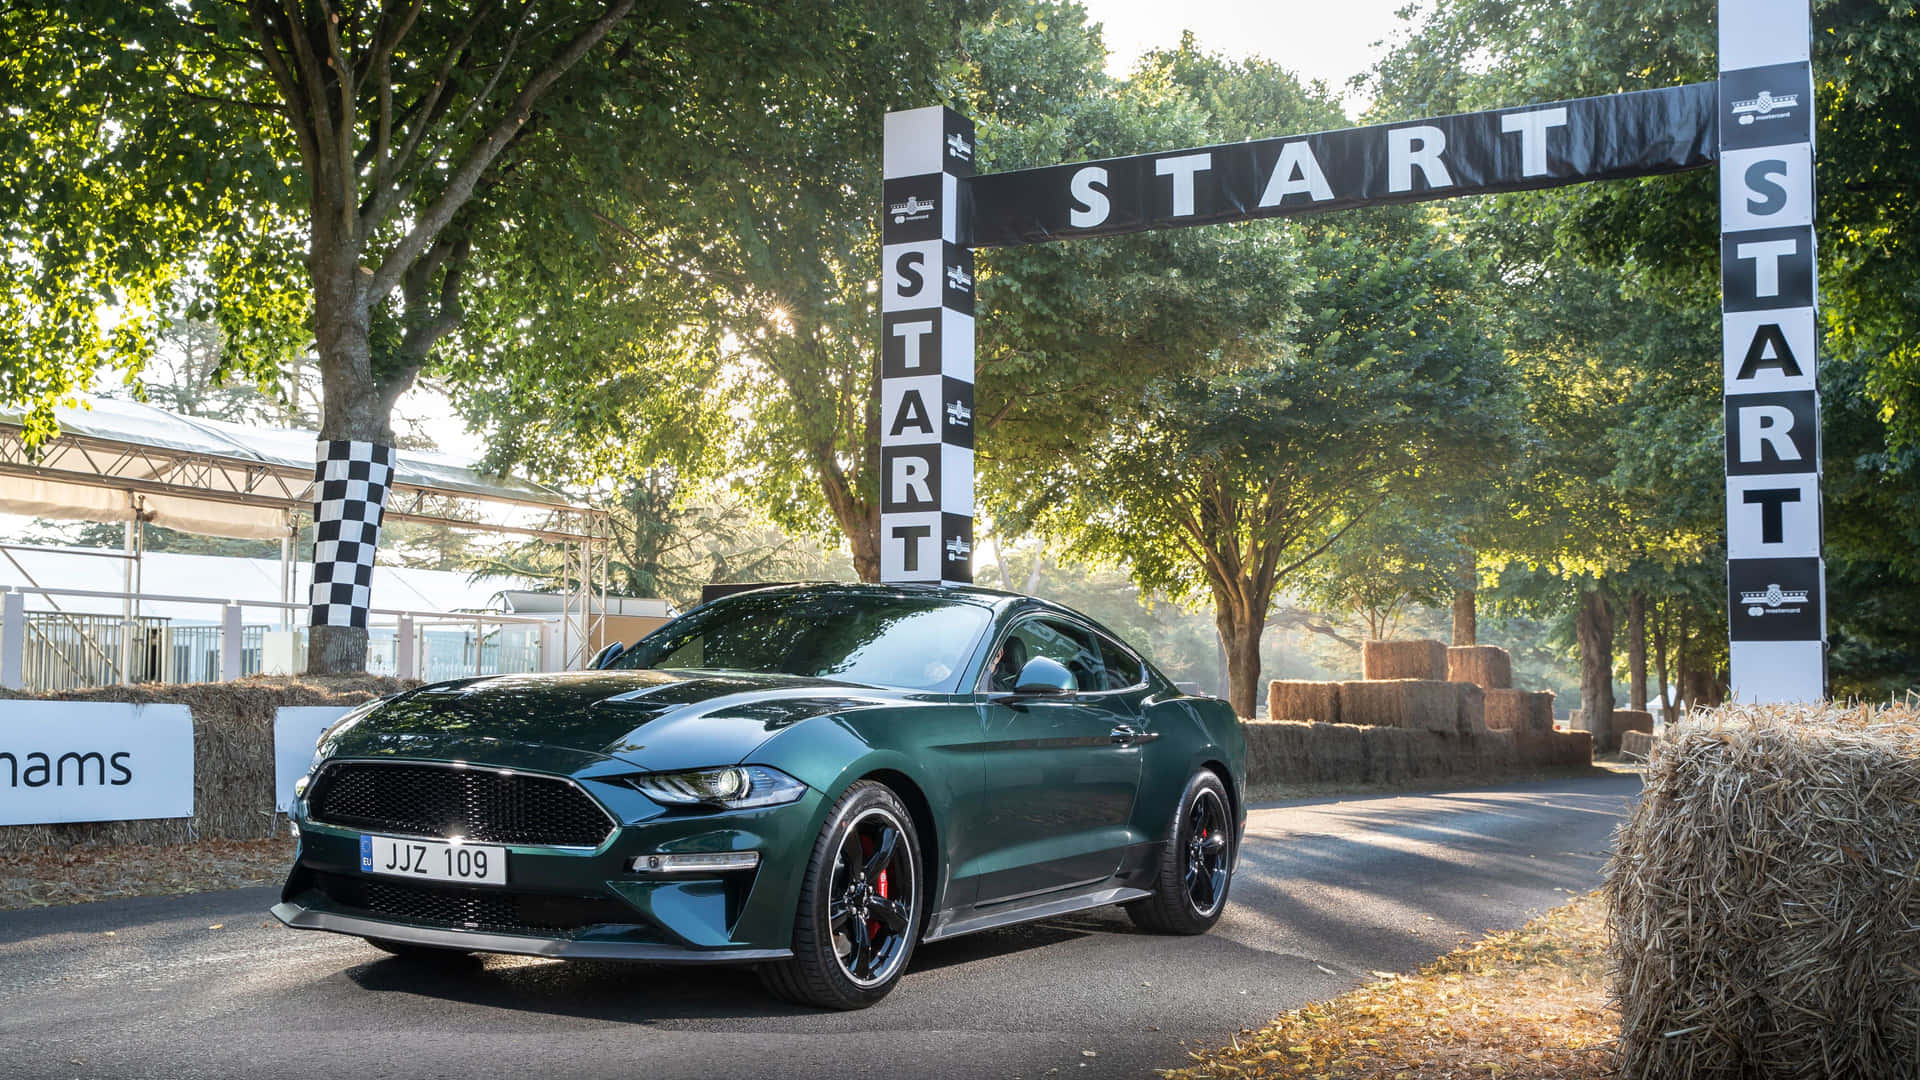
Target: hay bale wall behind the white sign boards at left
[(233, 758)]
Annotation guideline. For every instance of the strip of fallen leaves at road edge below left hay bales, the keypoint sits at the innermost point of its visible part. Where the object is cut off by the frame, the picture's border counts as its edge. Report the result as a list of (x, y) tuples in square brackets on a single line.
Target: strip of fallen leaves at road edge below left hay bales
[(82, 875)]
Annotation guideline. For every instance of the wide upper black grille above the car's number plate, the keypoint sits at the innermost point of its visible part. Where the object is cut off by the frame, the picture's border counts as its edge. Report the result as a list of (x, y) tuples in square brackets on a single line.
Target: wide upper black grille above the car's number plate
[(441, 800)]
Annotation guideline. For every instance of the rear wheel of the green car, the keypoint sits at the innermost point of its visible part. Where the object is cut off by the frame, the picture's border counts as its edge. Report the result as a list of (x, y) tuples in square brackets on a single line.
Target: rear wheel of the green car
[(1195, 866)]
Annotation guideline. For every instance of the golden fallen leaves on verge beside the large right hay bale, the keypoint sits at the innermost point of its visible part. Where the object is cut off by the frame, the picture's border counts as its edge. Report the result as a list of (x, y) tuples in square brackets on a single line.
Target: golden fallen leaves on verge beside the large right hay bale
[(1529, 1004)]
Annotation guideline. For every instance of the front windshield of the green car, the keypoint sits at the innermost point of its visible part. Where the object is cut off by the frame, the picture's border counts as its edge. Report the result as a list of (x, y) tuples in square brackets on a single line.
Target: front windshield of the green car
[(915, 643)]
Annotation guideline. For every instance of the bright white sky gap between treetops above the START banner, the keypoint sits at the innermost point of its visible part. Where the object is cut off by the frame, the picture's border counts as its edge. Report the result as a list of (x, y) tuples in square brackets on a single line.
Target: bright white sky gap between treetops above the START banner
[(1316, 39)]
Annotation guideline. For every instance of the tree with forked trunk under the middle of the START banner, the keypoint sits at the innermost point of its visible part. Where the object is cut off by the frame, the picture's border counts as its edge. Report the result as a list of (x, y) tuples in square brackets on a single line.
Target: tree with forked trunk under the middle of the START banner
[(1222, 487)]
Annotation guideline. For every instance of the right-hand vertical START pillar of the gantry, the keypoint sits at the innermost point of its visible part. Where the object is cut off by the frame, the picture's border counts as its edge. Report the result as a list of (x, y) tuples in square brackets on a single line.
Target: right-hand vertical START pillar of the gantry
[(1775, 572)]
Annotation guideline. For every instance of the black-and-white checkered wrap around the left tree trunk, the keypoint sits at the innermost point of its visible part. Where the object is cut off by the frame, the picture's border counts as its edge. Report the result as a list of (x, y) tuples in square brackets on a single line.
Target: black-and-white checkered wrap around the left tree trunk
[(350, 483)]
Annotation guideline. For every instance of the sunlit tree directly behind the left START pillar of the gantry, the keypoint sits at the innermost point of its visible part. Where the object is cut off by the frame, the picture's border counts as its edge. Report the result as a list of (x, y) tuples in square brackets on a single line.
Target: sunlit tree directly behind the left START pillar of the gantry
[(752, 349)]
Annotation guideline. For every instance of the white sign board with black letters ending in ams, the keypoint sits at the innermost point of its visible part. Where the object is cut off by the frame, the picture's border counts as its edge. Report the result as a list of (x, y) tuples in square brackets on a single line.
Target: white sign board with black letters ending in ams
[(95, 762)]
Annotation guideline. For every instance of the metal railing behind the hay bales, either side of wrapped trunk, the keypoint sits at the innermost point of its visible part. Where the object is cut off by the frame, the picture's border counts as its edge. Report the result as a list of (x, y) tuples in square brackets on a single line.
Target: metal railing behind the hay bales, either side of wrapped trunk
[(51, 649)]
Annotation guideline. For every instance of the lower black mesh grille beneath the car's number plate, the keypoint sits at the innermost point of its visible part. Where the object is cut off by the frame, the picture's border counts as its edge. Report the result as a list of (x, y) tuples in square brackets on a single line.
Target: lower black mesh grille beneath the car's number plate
[(483, 910)]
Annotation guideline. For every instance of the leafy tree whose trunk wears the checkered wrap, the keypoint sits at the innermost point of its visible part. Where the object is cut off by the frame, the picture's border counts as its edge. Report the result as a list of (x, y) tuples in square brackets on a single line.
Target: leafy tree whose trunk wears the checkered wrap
[(383, 151)]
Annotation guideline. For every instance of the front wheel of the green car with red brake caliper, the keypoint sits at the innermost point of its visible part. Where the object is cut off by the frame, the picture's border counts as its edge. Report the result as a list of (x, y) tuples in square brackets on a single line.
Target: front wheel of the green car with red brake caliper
[(861, 908)]
